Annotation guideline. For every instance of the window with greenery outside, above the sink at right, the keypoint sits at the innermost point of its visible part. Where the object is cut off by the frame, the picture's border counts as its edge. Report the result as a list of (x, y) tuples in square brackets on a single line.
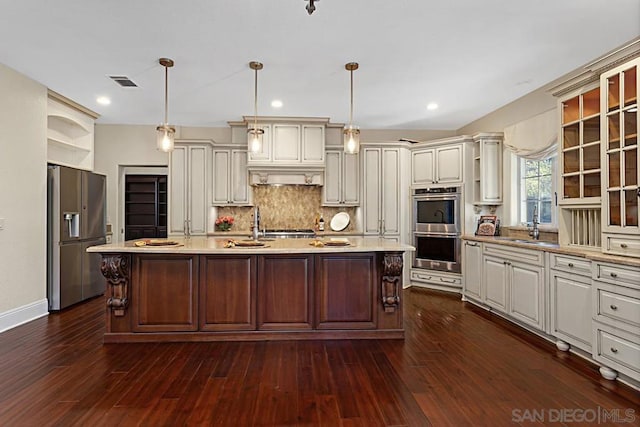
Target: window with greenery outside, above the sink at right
[(537, 187)]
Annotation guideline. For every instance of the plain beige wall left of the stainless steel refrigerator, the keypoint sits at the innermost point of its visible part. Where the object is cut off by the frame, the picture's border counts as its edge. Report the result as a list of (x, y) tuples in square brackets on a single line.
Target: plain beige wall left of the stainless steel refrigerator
[(23, 193)]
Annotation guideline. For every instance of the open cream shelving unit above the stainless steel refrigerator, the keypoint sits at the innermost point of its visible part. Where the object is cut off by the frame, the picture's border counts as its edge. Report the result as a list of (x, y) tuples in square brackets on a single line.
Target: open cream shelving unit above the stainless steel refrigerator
[(70, 133)]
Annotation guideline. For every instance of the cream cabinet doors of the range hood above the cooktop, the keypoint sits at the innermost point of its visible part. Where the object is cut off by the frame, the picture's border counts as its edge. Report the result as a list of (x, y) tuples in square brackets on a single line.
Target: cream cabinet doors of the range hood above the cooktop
[(290, 144)]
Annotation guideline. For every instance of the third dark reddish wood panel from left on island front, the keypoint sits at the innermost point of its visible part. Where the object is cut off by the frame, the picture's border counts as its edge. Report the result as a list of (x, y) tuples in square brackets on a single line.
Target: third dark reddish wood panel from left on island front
[(285, 292)]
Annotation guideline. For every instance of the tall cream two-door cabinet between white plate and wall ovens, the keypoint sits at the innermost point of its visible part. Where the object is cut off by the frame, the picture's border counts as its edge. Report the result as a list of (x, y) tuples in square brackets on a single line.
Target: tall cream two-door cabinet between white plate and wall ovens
[(382, 191)]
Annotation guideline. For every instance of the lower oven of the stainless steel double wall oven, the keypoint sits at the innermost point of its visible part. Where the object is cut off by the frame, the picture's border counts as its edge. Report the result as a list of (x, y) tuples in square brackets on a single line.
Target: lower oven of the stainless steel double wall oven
[(446, 261)]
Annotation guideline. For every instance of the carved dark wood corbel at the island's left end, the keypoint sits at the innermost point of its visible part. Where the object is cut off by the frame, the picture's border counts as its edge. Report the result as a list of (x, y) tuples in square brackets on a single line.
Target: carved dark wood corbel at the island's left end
[(115, 268)]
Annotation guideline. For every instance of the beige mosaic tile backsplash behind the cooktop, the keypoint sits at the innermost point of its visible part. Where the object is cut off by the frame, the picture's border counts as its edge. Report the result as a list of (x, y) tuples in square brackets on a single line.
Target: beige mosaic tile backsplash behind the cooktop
[(287, 206)]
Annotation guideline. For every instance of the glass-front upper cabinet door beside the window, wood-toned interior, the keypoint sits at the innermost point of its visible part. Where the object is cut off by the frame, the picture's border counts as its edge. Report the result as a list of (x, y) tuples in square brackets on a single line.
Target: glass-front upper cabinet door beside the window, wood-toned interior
[(580, 147)]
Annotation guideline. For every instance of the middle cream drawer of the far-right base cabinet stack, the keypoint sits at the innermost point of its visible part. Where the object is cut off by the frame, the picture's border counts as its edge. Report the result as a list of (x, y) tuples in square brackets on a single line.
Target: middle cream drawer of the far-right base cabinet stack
[(618, 304)]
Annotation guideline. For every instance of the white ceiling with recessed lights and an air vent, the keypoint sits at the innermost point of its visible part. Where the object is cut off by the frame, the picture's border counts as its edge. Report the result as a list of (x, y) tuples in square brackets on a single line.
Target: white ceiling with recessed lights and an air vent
[(469, 56)]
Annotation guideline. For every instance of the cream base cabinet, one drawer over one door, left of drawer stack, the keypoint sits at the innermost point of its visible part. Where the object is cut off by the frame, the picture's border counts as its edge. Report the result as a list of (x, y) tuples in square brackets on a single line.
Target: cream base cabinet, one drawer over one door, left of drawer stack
[(570, 301)]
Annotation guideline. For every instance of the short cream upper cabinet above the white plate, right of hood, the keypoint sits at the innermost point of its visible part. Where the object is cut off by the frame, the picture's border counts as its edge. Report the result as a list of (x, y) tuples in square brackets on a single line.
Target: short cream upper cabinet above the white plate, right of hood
[(341, 179)]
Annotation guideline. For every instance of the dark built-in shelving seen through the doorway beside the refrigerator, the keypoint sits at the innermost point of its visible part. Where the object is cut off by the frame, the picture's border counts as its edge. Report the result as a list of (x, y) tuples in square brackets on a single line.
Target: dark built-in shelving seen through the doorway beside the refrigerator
[(145, 206)]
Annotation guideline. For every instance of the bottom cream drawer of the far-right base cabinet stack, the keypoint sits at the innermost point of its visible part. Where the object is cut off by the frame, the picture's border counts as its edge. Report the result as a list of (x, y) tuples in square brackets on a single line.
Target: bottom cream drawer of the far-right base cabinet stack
[(621, 352)]
